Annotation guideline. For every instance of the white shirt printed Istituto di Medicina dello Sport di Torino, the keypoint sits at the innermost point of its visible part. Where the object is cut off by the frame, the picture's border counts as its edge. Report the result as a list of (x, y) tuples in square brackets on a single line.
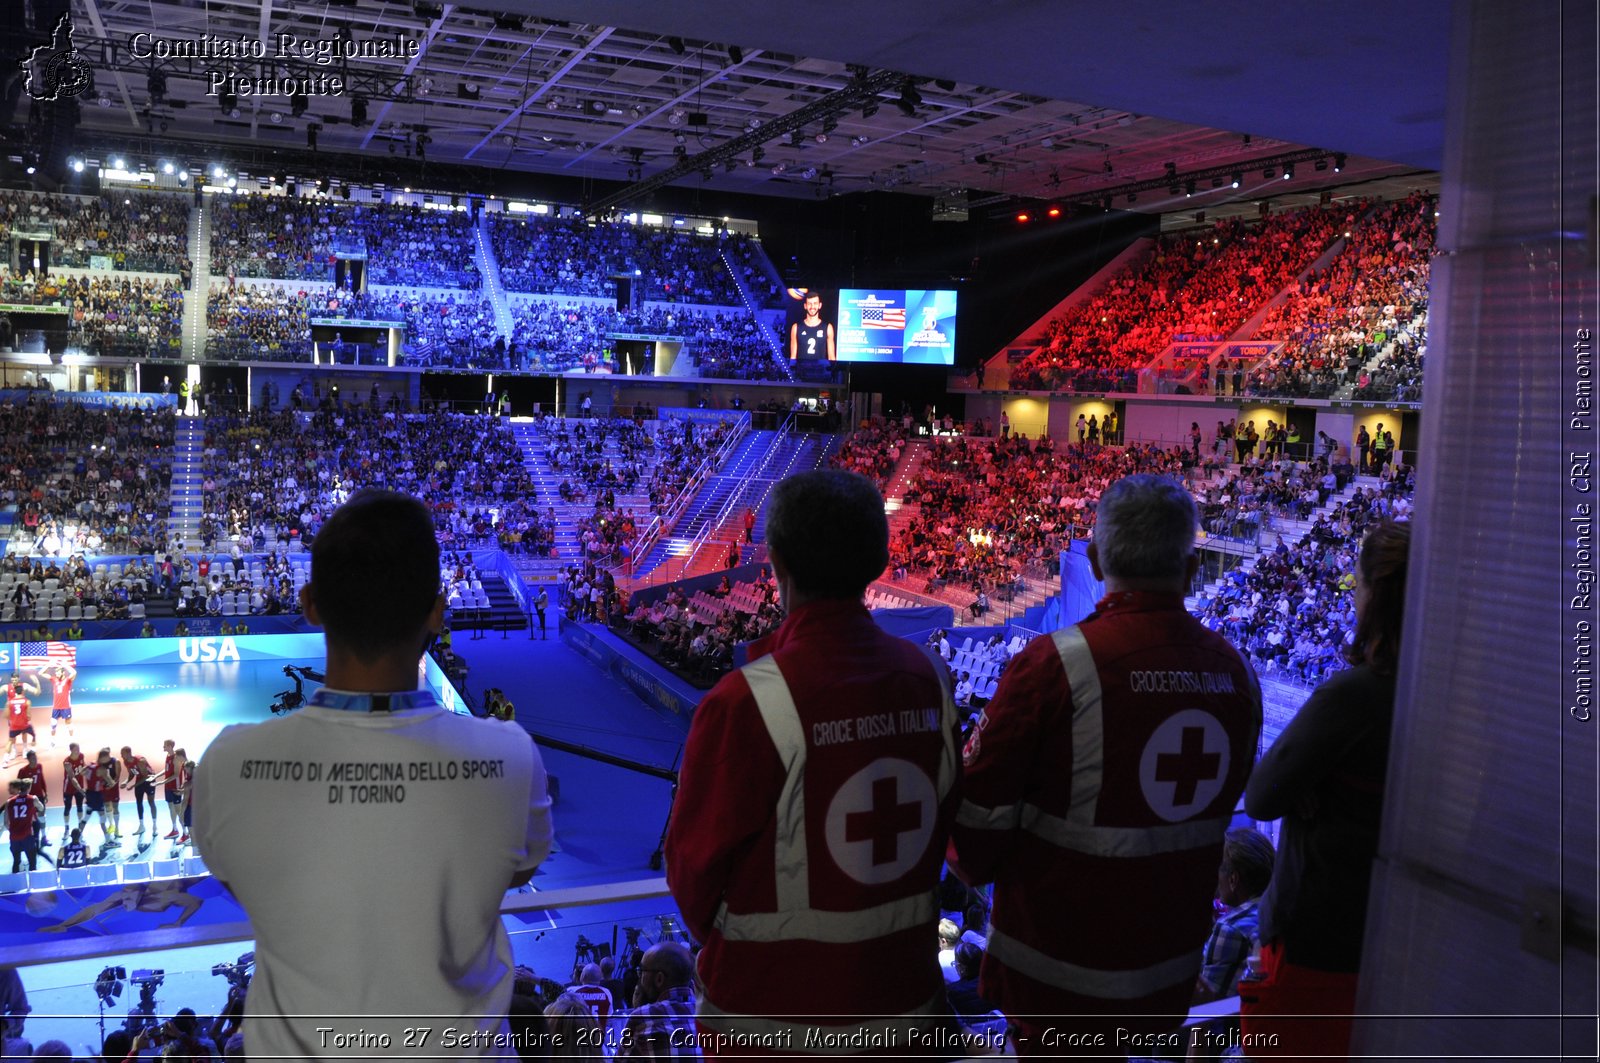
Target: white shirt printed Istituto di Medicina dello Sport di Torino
[(374, 909)]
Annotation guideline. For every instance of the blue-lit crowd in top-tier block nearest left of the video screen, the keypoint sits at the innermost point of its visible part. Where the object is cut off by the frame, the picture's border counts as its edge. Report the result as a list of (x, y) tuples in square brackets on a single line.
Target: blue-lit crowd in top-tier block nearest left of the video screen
[(572, 257)]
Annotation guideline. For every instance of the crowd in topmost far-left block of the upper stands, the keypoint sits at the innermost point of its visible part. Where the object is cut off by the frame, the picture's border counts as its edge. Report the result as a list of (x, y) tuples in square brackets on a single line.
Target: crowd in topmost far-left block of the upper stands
[(137, 231)]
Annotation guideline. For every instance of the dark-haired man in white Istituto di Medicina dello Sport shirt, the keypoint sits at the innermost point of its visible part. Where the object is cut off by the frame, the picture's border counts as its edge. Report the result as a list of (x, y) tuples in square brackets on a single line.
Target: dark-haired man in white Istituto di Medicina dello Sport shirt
[(425, 817)]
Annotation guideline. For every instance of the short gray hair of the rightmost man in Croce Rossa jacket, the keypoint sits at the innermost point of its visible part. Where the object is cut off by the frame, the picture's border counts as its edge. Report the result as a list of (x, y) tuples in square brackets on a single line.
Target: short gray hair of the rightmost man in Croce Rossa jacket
[(1145, 532)]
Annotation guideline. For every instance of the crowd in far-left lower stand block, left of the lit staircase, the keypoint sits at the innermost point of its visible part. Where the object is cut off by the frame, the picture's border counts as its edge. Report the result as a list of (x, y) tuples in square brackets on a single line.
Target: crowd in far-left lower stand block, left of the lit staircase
[(86, 479)]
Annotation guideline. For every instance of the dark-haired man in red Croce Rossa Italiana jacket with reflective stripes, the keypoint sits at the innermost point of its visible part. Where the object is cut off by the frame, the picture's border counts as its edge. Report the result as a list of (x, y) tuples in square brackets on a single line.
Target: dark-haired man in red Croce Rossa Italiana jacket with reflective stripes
[(817, 793)]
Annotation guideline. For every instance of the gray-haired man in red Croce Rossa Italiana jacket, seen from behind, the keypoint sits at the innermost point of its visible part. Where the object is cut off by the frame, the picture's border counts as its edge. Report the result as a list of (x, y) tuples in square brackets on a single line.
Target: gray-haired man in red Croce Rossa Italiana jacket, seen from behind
[(1100, 785)]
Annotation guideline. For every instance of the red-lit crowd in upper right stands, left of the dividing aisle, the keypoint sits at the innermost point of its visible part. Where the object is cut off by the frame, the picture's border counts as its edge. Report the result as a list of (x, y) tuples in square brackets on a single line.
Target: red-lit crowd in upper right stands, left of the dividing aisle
[(1190, 287)]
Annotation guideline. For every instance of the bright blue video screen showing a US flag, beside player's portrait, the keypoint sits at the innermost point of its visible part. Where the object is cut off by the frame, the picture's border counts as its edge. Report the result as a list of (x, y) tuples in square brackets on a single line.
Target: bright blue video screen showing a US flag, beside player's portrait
[(913, 326)]
